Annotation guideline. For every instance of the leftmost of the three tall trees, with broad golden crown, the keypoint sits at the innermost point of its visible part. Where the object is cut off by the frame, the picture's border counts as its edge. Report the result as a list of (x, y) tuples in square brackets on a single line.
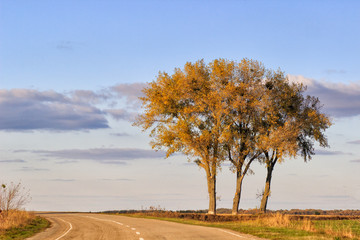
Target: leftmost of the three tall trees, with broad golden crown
[(185, 112)]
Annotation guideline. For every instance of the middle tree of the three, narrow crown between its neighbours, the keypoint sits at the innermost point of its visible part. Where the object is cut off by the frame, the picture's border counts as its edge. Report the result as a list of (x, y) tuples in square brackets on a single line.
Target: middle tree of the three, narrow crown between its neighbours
[(245, 92)]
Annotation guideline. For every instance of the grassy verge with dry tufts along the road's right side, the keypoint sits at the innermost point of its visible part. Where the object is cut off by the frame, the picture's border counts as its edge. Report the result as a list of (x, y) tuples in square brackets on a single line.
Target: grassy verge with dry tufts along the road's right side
[(280, 227)]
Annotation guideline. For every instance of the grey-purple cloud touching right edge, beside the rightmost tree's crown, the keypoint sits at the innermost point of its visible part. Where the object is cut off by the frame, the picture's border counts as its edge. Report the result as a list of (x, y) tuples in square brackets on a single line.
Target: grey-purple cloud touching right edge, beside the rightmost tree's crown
[(339, 99)]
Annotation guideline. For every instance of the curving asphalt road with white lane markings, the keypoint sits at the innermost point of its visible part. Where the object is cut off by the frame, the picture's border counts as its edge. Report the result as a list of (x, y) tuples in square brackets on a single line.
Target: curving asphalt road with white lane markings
[(110, 227)]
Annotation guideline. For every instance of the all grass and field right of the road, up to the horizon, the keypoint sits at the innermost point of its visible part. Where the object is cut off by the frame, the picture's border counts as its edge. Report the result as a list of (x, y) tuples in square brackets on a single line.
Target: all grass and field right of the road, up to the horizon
[(274, 225)]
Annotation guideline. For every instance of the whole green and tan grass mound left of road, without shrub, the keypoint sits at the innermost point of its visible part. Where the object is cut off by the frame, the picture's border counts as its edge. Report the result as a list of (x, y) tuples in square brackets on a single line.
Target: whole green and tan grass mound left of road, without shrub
[(20, 225)]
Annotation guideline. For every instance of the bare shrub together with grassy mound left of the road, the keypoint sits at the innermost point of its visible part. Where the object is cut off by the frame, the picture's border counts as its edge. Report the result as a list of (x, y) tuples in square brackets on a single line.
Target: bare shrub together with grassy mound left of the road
[(16, 223)]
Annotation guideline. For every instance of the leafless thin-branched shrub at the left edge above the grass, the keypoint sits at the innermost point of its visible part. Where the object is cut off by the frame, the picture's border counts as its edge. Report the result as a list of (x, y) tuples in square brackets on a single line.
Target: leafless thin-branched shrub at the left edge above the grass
[(13, 197)]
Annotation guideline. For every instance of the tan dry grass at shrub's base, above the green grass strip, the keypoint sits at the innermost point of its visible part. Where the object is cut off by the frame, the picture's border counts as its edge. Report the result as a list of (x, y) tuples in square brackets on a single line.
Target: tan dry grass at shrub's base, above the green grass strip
[(14, 218)]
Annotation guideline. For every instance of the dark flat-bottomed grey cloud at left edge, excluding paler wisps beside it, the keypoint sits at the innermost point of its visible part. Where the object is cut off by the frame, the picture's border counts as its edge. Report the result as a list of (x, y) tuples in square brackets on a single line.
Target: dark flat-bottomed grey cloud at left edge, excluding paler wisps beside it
[(24, 109)]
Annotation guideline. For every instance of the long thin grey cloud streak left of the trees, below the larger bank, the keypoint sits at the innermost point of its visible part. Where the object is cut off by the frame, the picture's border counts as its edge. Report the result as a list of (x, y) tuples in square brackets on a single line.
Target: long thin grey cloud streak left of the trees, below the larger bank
[(103, 155)]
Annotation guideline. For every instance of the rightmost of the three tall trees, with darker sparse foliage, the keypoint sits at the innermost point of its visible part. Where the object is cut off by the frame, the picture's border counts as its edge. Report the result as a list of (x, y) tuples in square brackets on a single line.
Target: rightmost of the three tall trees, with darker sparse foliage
[(291, 124)]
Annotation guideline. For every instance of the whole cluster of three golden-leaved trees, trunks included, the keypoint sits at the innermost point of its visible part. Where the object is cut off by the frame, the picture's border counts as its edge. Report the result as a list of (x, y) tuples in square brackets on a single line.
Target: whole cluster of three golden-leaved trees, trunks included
[(230, 111)]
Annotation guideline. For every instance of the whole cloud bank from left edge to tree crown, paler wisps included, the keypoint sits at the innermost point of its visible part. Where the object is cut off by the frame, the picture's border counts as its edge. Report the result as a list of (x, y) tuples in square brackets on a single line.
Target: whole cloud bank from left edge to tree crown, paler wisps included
[(29, 109)]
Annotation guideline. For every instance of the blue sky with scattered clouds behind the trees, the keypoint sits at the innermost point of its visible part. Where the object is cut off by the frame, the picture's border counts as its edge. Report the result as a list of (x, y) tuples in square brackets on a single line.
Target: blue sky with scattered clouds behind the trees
[(71, 73)]
